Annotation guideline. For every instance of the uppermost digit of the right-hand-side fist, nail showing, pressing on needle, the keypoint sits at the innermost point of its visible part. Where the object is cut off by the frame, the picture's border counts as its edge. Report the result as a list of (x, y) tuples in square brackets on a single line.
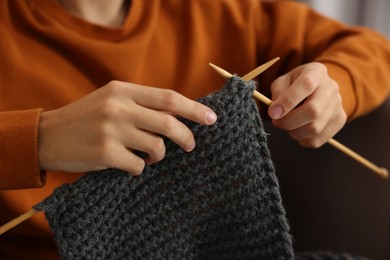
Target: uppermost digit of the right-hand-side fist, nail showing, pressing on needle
[(303, 86)]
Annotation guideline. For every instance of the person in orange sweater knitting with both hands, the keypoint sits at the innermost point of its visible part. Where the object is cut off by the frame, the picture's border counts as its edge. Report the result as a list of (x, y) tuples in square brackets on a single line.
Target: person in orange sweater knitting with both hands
[(86, 84)]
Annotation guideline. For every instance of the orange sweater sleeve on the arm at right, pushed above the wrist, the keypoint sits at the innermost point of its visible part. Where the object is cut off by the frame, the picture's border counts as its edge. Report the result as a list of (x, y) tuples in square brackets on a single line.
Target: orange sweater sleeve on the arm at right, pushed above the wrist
[(357, 58)]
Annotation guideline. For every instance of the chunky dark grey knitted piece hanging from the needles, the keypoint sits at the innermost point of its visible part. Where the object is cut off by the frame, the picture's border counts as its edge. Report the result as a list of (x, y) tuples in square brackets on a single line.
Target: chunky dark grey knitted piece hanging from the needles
[(220, 201)]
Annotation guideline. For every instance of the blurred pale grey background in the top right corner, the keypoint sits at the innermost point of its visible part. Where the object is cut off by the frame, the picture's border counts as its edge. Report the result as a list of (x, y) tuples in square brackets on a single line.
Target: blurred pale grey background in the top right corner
[(371, 13)]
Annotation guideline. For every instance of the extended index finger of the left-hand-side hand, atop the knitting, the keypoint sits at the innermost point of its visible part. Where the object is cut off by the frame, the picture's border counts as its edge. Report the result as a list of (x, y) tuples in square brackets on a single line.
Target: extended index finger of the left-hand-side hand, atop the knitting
[(173, 102)]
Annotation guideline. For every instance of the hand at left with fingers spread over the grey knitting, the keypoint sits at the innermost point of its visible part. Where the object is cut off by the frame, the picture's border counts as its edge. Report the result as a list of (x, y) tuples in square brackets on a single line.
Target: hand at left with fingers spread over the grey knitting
[(105, 128)]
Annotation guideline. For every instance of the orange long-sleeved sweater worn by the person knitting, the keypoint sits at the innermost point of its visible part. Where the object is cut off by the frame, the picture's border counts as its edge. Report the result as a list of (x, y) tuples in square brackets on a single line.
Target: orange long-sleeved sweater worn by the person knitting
[(50, 58)]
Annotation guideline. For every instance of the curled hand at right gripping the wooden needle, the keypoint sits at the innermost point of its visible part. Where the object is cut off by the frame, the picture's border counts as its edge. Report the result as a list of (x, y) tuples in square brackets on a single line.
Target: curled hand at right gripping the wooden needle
[(308, 105)]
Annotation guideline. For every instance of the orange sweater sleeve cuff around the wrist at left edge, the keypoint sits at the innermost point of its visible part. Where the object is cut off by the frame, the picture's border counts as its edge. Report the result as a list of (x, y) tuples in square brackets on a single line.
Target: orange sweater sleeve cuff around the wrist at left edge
[(19, 166)]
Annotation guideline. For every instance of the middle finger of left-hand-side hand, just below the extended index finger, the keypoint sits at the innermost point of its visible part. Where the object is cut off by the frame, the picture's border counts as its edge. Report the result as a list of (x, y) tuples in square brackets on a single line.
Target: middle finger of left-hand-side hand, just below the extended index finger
[(167, 125)]
